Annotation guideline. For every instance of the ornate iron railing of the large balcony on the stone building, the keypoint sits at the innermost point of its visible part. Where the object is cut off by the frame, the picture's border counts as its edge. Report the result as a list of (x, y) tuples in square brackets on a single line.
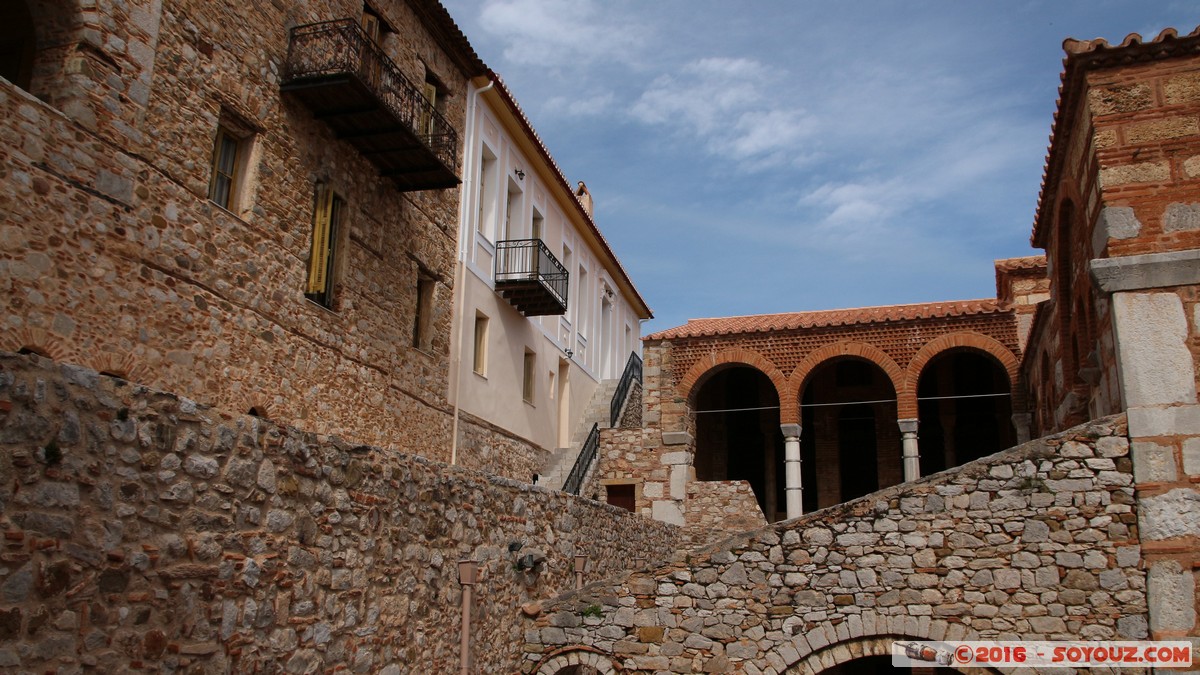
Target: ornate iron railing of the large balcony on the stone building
[(343, 47)]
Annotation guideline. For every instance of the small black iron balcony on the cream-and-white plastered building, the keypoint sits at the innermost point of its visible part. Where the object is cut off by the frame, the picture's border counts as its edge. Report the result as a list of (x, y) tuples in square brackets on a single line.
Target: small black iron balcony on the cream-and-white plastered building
[(531, 278)]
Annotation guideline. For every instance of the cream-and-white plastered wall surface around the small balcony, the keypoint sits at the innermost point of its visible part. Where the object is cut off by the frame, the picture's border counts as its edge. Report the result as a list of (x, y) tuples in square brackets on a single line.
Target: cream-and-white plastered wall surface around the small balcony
[(491, 168)]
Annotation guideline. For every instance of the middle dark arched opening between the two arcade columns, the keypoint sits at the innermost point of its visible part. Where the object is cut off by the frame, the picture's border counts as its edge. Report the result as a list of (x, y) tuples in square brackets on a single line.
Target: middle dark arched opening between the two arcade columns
[(851, 445)]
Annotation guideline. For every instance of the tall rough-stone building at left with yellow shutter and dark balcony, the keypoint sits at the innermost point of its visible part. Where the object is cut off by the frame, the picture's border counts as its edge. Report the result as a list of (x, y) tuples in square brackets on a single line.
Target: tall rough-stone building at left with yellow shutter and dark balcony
[(254, 206)]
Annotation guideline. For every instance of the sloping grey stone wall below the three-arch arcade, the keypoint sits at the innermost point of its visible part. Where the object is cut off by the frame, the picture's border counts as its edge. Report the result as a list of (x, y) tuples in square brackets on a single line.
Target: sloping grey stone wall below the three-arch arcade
[(1039, 542)]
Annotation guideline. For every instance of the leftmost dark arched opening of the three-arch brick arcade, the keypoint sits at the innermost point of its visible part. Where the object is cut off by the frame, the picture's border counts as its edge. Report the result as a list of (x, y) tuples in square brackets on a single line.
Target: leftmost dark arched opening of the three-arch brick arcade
[(739, 435)]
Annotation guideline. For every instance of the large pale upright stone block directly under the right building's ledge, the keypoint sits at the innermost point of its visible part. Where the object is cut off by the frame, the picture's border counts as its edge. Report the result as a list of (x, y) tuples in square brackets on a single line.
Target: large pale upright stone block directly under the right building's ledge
[(1156, 365)]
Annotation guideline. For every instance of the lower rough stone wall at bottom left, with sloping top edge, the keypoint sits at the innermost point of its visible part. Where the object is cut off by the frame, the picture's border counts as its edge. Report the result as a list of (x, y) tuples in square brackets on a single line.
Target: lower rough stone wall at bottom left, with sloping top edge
[(148, 533)]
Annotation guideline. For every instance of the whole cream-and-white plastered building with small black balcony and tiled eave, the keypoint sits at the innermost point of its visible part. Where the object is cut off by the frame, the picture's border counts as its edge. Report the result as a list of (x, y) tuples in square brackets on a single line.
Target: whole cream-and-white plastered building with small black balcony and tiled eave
[(548, 320)]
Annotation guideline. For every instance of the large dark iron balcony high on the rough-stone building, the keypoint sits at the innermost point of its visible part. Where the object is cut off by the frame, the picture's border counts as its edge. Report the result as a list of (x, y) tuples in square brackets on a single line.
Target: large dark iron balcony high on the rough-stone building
[(347, 81)]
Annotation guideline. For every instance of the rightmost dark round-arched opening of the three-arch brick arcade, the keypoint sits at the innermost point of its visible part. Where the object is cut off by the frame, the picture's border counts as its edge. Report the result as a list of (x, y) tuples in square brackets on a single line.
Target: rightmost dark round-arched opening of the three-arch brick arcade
[(965, 407)]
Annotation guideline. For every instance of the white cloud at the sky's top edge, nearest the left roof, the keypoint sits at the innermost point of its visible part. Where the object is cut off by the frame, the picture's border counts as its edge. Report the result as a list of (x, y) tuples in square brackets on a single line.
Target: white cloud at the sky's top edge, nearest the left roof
[(560, 32)]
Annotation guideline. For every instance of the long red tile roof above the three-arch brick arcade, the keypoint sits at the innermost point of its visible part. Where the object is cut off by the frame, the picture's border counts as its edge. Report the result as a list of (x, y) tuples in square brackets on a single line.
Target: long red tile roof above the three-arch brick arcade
[(824, 319)]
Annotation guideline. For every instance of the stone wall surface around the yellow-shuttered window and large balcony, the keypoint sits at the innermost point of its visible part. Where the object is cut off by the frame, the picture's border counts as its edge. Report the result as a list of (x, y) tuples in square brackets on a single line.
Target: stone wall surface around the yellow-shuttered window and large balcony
[(115, 259)]
